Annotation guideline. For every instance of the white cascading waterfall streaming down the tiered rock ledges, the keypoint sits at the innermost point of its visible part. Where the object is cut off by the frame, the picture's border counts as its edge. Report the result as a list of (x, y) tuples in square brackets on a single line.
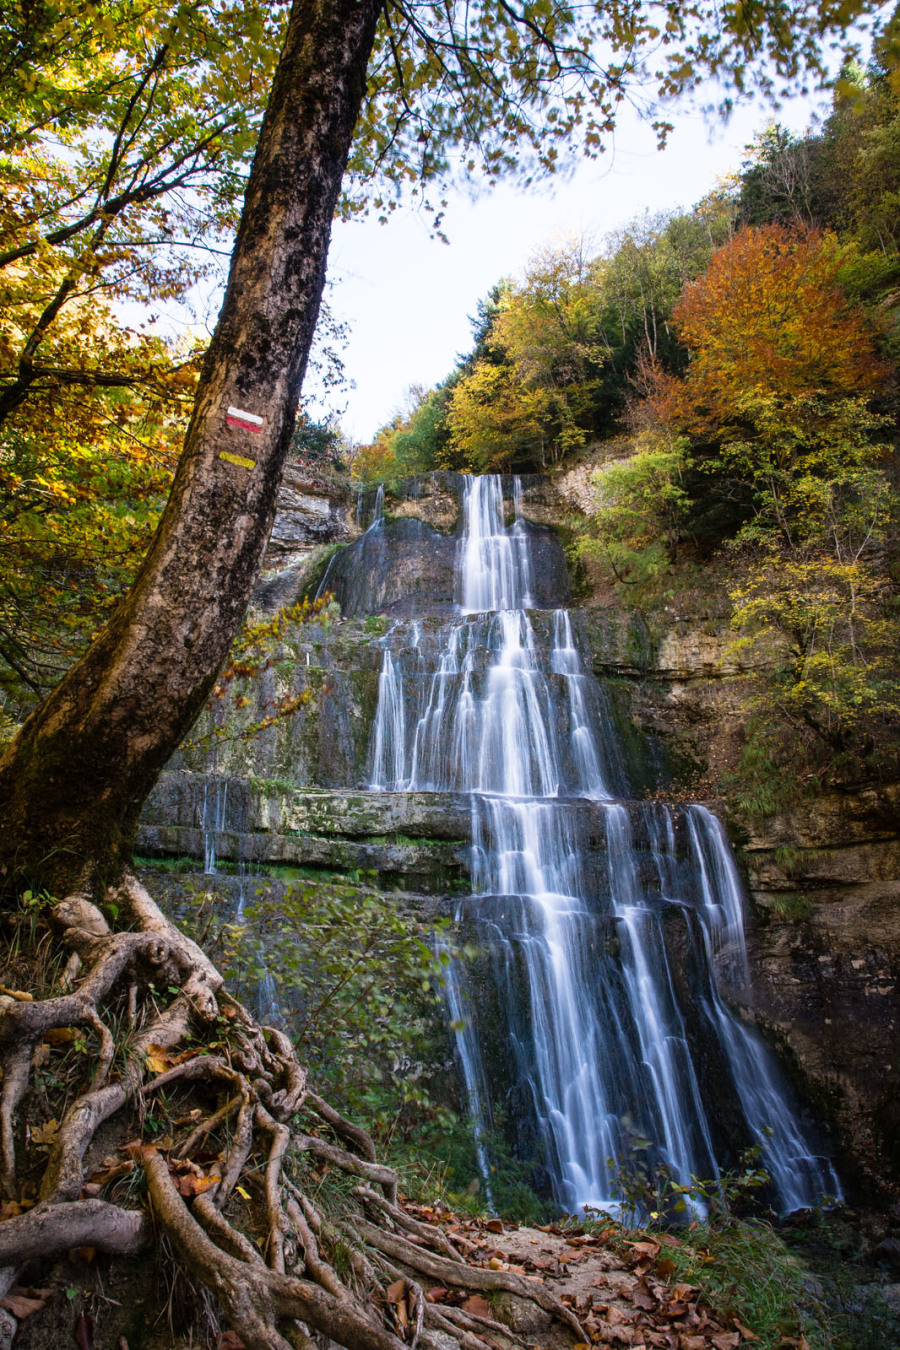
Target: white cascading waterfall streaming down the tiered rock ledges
[(578, 897)]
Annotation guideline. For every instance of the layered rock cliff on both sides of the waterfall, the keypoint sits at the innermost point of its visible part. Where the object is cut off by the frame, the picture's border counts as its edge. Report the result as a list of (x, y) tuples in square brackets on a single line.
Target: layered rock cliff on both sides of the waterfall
[(824, 880)]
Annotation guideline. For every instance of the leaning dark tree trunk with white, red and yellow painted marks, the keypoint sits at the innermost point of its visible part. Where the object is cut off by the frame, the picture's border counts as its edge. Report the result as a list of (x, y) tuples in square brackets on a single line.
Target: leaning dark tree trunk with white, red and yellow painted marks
[(74, 782)]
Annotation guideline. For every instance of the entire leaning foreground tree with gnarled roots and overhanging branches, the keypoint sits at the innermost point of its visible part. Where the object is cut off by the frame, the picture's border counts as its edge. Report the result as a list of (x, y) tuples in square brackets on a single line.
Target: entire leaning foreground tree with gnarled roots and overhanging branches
[(423, 87)]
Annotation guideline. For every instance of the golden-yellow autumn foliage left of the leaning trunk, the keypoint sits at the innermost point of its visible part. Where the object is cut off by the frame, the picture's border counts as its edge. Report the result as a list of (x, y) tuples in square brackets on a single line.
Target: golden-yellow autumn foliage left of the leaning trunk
[(125, 145)]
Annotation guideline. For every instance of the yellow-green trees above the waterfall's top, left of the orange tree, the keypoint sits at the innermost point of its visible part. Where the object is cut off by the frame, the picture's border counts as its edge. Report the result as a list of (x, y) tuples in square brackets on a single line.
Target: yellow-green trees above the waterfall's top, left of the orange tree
[(561, 356)]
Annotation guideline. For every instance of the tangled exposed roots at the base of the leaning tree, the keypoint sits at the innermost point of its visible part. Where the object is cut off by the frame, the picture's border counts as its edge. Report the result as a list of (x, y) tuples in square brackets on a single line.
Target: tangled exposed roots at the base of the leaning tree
[(160, 1023)]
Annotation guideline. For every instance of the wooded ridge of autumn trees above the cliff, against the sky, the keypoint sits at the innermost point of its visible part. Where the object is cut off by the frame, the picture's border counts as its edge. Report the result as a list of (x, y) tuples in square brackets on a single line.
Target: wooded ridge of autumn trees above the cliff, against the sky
[(565, 353)]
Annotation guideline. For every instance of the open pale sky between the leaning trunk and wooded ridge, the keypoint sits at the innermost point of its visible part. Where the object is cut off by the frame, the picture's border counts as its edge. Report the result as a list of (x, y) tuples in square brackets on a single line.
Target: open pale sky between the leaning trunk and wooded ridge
[(407, 298)]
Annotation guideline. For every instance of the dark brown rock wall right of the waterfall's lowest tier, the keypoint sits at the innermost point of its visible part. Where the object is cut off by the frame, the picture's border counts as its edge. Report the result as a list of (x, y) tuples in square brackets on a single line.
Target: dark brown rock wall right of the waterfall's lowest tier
[(826, 878)]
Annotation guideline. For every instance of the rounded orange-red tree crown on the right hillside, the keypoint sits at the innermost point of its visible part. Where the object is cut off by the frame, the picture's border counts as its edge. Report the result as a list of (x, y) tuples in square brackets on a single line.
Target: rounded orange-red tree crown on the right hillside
[(768, 318)]
